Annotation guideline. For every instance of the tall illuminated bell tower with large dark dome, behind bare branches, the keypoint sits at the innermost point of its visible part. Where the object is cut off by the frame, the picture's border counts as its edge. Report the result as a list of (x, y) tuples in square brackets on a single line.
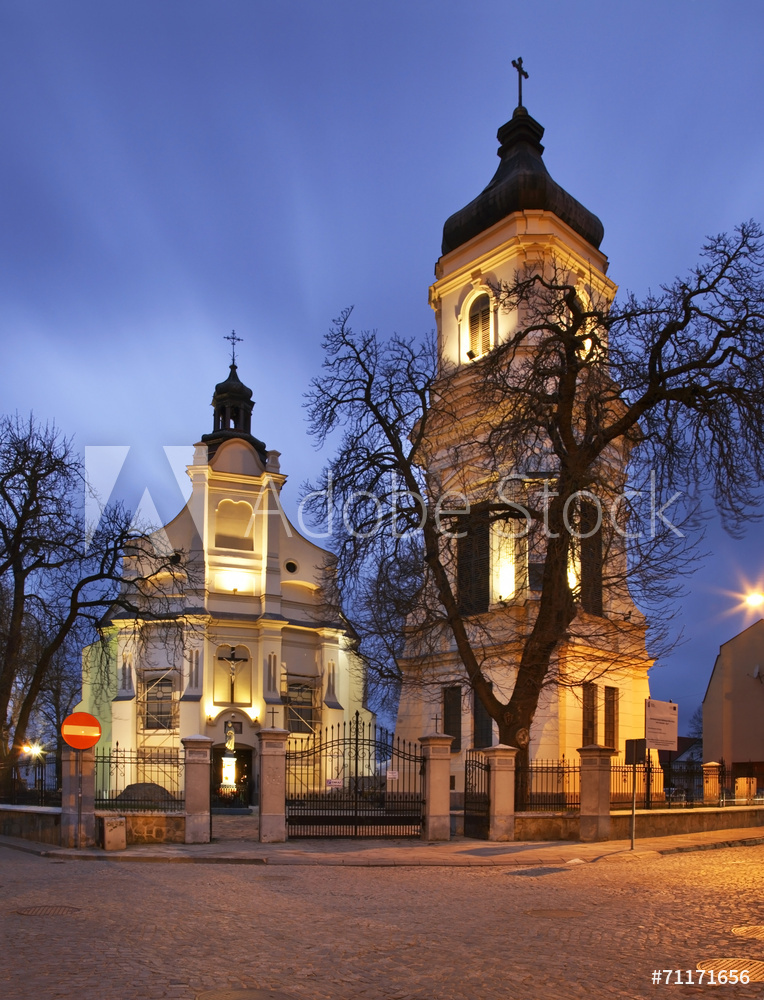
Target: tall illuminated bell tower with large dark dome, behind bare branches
[(522, 219)]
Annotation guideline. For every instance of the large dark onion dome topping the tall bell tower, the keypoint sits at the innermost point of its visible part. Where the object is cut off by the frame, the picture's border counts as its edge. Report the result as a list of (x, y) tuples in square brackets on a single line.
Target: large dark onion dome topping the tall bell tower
[(521, 182)]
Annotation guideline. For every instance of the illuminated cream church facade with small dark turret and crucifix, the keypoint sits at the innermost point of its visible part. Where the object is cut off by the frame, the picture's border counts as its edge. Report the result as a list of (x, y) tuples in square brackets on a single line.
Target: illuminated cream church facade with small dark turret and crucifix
[(246, 646)]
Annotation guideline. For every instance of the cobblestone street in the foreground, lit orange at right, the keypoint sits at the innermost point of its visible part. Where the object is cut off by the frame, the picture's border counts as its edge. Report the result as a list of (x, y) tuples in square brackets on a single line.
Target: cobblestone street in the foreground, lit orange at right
[(152, 930)]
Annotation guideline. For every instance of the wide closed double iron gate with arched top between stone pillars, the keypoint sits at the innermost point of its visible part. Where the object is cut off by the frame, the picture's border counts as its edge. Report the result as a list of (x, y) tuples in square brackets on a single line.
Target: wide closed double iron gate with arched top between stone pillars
[(354, 780)]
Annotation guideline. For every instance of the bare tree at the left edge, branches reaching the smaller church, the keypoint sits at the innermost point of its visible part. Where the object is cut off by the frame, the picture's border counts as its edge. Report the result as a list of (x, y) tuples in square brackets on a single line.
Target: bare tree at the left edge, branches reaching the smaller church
[(58, 575)]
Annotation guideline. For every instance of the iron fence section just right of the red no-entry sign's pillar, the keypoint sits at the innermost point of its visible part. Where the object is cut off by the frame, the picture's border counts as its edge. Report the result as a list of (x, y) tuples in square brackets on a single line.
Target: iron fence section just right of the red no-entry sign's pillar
[(140, 780)]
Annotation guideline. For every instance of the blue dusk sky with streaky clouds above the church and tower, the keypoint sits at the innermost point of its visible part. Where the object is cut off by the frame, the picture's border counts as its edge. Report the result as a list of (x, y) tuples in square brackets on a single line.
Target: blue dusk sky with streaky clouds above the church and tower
[(170, 171)]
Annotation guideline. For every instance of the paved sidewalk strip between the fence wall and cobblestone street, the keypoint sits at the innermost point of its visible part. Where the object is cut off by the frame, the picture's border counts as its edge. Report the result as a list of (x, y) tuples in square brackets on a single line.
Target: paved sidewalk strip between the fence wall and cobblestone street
[(459, 852)]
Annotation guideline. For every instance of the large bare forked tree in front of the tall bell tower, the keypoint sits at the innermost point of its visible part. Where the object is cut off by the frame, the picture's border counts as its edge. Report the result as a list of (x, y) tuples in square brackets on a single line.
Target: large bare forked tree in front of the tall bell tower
[(576, 434)]
